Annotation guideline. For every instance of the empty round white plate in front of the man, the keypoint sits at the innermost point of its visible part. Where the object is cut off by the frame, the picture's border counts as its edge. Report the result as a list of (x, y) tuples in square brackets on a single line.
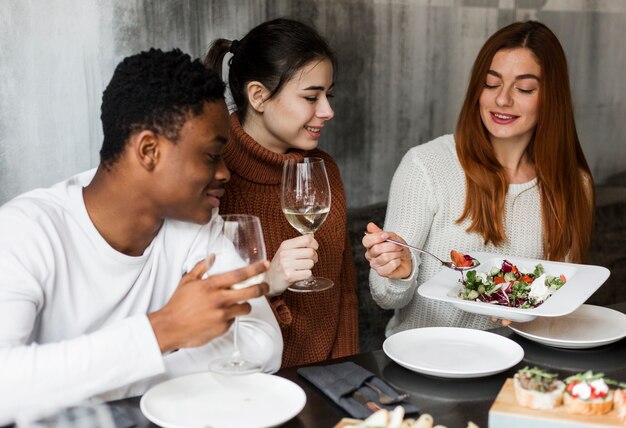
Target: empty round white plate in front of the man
[(208, 399)]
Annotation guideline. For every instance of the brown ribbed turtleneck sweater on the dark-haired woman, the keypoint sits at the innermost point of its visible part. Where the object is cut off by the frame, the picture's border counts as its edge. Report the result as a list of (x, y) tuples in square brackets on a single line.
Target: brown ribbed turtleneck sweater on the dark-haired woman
[(315, 326)]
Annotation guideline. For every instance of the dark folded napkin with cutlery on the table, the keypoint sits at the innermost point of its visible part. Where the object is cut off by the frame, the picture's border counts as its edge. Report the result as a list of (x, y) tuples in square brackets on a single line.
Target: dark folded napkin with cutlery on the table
[(339, 381)]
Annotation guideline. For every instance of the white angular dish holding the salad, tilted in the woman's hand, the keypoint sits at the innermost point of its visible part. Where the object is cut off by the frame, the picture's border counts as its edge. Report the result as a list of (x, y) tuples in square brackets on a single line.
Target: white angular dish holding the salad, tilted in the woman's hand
[(582, 282)]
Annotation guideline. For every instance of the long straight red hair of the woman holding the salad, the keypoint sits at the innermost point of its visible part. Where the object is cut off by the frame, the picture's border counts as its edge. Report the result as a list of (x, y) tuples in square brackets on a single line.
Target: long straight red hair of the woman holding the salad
[(564, 178)]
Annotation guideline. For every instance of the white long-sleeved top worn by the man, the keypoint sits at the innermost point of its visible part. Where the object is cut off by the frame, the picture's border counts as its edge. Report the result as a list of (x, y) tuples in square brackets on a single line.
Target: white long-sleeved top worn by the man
[(73, 320)]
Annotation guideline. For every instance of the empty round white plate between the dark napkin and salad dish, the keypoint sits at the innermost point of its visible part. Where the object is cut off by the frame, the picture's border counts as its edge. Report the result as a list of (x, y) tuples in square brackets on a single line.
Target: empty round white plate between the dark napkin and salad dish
[(453, 352)]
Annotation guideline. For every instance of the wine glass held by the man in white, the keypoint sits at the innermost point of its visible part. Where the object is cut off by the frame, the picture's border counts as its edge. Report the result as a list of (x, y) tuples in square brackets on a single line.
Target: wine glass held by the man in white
[(242, 244)]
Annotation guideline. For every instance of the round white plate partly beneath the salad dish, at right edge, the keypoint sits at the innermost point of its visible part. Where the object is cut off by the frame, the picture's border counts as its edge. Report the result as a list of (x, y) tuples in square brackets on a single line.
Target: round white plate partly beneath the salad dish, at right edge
[(587, 327)]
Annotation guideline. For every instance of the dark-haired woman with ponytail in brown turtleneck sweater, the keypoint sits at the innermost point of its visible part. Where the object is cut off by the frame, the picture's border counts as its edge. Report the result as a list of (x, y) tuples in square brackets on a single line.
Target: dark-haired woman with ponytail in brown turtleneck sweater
[(281, 76)]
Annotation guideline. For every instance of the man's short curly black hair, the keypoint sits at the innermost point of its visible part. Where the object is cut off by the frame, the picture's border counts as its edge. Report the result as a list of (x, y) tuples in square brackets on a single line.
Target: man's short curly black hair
[(154, 90)]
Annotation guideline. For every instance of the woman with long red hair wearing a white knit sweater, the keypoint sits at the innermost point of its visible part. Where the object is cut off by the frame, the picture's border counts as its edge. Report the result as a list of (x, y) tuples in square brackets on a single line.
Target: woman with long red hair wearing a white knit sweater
[(511, 180)]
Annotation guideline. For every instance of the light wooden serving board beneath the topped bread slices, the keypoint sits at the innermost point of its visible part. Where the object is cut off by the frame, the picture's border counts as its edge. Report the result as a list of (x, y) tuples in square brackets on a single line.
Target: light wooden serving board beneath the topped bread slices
[(507, 413)]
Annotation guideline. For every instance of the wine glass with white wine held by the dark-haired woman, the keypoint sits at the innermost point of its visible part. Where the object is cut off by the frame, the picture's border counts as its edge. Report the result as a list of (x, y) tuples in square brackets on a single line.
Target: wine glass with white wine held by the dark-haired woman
[(305, 200)]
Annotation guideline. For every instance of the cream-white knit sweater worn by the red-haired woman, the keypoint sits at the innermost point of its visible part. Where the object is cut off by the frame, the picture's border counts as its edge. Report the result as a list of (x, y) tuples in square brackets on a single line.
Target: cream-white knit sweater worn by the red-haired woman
[(426, 198)]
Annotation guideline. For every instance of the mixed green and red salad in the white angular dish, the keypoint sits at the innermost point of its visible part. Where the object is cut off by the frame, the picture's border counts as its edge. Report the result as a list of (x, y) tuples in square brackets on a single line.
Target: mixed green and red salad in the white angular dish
[(508, 286)]
